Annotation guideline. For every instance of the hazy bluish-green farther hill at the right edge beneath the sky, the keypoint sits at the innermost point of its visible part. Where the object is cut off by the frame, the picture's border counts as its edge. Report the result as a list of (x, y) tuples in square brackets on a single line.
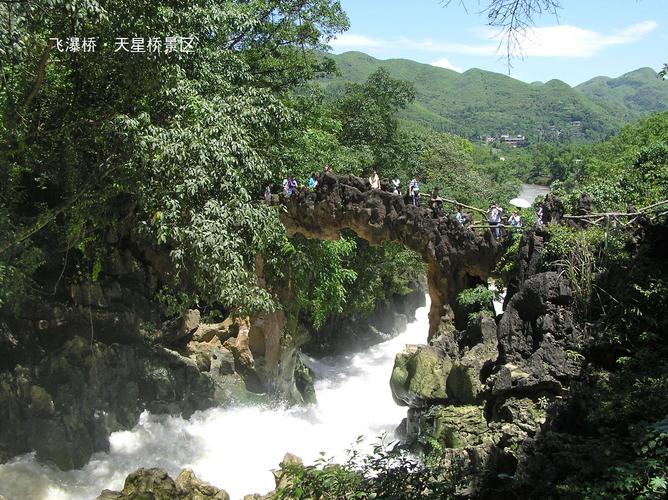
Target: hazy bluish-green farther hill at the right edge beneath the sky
[(639, 92)]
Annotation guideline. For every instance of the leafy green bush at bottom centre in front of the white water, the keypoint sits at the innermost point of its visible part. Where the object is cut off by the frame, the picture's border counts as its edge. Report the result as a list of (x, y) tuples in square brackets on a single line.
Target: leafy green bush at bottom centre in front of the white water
[(390, 471)]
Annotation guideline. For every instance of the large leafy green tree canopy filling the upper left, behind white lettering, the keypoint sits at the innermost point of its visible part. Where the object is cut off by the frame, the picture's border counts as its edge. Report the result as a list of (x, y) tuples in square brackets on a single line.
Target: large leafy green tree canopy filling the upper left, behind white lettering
[(184, 141)]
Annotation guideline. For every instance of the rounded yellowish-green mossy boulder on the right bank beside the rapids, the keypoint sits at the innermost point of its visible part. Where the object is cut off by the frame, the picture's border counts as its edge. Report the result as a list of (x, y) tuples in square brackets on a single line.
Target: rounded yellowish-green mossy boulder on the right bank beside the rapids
[(419, 376)]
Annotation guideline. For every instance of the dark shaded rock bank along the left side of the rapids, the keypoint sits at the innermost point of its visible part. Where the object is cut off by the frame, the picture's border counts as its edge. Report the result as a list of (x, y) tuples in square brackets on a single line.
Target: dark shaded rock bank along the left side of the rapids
[(65, 408)]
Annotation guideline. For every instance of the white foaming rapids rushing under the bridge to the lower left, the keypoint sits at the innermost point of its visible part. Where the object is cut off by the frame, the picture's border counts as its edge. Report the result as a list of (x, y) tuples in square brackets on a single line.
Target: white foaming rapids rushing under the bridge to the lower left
[(236, 448)]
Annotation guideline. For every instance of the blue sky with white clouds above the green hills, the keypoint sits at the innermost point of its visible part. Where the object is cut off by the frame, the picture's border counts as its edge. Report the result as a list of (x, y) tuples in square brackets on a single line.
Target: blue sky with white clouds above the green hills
[(589, 38)]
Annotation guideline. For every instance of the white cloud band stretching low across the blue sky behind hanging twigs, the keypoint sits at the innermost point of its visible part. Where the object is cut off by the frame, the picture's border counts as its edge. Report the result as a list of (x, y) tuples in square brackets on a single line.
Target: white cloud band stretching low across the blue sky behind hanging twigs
[(547, 41)]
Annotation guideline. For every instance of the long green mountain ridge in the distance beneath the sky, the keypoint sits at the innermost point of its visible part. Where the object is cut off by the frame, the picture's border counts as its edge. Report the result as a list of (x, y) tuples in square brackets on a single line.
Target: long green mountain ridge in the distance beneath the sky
[(478, 103)]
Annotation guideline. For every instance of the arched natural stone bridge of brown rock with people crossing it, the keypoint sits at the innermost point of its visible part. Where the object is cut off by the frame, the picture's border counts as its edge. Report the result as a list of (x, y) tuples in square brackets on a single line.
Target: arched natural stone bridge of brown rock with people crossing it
[(456, 257)]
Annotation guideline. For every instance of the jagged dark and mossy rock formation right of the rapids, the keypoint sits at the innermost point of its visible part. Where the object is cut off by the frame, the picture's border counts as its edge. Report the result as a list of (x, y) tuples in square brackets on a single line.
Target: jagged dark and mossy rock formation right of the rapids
[(486, 394)]
